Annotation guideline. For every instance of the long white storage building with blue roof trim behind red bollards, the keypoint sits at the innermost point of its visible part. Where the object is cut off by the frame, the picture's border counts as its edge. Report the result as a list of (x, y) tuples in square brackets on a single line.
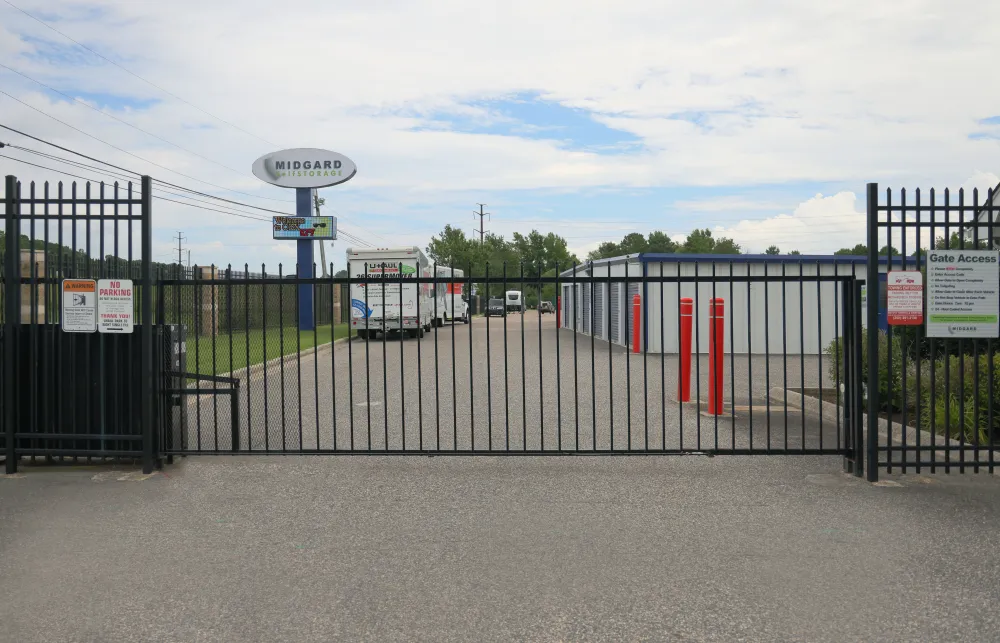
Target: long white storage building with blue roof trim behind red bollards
[(791, 317)]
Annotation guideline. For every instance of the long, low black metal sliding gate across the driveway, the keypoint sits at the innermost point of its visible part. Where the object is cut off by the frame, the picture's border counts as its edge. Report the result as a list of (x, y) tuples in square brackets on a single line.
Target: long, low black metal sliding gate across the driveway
[(518, 384)]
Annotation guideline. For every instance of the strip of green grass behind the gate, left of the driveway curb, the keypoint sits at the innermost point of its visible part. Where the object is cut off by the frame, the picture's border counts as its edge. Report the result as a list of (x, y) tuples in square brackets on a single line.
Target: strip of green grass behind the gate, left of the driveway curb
[(278, 343)]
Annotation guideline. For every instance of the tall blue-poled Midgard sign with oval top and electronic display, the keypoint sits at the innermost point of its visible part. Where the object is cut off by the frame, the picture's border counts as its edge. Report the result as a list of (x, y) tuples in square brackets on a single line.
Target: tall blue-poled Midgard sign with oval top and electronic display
[(304, 169)]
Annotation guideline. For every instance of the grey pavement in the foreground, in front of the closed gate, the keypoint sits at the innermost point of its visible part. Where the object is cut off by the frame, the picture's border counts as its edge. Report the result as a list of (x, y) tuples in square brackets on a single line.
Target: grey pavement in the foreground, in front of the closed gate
[(497, 549)]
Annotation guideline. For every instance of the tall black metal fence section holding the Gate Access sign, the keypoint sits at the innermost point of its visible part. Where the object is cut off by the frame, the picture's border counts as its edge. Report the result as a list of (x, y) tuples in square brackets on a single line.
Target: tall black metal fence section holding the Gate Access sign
[(933, 390)]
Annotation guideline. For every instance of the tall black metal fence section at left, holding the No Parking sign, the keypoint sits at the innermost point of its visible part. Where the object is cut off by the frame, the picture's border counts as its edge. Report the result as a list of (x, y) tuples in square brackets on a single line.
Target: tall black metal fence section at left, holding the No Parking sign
[(67, 394)]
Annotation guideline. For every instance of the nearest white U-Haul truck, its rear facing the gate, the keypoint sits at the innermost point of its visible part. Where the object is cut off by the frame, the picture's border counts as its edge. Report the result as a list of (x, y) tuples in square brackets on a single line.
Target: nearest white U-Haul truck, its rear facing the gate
[(384, 302)]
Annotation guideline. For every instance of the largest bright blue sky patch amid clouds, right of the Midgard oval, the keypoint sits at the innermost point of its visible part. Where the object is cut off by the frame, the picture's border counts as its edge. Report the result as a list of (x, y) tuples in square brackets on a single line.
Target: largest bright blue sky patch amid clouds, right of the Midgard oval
[(530, 116)]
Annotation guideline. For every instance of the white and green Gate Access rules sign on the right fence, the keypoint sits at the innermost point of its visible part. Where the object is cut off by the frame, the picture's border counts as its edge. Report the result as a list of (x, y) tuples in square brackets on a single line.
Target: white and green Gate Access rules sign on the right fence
[(962, 298)]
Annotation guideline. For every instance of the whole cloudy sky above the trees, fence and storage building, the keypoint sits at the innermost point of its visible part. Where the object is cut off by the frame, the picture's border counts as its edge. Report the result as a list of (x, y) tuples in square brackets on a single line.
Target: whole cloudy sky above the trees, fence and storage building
[(760, 120)]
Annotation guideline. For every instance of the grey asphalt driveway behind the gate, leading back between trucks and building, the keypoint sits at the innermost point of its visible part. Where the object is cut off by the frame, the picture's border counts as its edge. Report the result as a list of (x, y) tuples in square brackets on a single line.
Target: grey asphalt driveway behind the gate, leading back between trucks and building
[(514, 383)]
